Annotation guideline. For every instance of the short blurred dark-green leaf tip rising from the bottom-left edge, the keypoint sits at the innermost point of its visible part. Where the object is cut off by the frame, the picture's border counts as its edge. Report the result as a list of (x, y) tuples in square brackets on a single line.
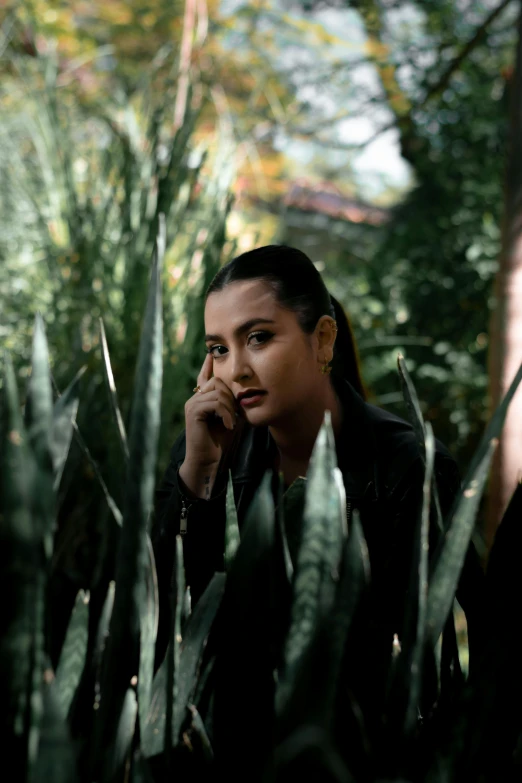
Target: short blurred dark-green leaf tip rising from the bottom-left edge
[(56, 758)]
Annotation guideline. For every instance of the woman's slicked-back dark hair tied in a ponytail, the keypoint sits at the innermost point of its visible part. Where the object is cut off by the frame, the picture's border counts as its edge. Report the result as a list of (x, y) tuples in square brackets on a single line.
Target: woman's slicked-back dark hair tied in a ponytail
[(299, 287)]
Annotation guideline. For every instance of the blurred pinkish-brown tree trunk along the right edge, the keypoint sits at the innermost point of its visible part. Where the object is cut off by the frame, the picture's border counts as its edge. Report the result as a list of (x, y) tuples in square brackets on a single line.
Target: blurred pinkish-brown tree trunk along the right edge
[(505, 344)]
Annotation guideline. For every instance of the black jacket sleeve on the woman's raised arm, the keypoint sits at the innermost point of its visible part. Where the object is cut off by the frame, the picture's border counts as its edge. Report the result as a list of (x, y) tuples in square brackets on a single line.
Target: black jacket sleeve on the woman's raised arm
[(203, 542)]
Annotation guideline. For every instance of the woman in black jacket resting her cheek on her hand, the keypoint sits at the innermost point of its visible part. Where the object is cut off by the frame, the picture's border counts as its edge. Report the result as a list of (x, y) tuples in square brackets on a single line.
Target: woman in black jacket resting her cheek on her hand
[(273, 334)]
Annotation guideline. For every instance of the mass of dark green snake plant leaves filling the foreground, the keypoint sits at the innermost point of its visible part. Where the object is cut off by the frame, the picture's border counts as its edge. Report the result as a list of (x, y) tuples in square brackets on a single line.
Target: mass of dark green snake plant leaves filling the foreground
[(263, 667)]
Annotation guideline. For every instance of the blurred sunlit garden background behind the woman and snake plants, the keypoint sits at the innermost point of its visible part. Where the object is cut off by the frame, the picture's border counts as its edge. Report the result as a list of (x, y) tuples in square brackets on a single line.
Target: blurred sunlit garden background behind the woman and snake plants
[(372, 134)]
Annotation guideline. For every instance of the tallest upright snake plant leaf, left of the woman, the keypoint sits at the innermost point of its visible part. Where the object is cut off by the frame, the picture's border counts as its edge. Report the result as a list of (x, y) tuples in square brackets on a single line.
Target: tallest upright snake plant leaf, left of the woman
[(121, 657)]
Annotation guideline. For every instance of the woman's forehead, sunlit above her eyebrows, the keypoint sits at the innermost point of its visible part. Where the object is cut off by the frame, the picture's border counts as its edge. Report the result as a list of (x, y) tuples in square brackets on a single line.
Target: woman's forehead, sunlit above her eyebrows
[(239, 301)]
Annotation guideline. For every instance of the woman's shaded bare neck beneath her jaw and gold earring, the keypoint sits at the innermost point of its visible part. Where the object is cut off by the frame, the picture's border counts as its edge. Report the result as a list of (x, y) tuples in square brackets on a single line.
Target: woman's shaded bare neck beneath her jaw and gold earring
[(295, 436)]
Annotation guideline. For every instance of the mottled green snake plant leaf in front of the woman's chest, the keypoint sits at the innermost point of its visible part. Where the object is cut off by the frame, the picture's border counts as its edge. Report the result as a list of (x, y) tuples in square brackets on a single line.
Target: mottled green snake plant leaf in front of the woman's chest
[(318, 558)]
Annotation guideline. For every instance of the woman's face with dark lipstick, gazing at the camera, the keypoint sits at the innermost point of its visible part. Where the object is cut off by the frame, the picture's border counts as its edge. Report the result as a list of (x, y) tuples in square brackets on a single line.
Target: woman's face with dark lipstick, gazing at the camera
[(272, 354)]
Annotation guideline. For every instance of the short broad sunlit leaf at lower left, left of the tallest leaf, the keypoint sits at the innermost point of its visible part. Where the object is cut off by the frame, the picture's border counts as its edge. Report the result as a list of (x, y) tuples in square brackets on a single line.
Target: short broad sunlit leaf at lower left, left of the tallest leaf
[(74, 650)]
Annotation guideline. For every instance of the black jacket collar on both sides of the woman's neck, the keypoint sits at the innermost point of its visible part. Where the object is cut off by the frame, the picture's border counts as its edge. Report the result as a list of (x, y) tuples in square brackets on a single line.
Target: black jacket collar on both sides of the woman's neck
[(357, 448)]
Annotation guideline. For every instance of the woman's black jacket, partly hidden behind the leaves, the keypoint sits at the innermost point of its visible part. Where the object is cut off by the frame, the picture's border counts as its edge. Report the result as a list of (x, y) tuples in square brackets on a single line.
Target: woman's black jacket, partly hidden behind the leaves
[(383, 476)]
